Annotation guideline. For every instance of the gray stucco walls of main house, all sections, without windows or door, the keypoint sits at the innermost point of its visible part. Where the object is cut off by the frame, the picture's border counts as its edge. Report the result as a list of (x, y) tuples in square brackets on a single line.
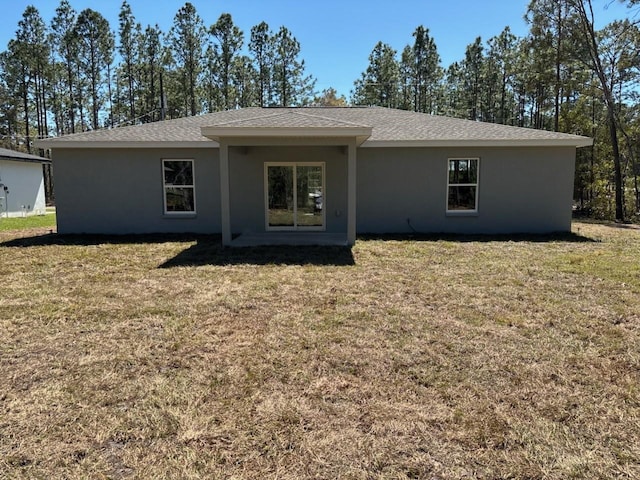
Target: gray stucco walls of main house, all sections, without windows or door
[(521, 190)]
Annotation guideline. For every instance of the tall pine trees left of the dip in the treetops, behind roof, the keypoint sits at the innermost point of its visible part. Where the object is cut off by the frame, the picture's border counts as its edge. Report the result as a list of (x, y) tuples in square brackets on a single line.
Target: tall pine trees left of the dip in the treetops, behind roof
[(62, 77)]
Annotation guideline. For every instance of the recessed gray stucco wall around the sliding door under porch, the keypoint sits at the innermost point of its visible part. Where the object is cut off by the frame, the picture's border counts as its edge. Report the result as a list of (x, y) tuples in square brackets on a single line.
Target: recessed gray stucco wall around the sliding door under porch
[(247, 185)]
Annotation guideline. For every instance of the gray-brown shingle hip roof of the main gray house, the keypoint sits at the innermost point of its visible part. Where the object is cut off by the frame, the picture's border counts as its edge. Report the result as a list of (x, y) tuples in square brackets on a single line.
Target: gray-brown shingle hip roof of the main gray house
[(388, 127)]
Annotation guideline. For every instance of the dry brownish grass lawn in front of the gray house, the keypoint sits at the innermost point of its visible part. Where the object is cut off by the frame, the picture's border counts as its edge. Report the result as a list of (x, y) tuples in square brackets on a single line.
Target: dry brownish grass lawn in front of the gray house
[(433, 358)]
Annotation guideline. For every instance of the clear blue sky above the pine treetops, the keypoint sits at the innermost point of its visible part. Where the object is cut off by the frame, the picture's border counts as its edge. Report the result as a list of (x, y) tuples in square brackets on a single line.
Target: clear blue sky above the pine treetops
[(336, 36)]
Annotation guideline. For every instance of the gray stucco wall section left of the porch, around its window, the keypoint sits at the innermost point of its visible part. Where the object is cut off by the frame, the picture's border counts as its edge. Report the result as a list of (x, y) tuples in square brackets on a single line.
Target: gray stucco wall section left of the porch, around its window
[(120, 191)]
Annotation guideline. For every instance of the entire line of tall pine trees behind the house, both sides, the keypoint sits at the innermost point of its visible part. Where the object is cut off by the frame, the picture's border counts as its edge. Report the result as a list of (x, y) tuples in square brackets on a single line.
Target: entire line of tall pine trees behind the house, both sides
[(76, 74)]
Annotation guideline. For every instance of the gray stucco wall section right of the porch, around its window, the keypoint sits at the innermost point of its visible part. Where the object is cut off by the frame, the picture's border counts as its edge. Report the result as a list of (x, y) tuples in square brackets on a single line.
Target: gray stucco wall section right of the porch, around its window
[(521, 190)]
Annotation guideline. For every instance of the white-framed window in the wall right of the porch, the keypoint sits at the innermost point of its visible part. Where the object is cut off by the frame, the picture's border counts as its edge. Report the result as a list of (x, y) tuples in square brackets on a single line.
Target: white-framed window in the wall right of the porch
[(462, 185)]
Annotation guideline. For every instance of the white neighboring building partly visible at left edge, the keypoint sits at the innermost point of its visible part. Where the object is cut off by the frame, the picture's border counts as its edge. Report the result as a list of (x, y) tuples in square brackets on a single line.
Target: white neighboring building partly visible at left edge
[(21, 184)]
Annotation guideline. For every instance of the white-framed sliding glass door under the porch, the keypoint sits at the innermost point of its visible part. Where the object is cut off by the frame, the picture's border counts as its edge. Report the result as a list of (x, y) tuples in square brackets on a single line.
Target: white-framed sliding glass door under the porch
[(294, 196)]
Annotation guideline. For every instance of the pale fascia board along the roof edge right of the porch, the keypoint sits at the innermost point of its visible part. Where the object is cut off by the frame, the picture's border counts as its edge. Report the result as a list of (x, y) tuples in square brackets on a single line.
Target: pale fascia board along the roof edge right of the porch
[(555, 142)]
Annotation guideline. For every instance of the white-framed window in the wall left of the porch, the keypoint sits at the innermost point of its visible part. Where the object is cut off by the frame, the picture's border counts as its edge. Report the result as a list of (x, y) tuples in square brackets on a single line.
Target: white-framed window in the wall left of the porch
[(179, 186)]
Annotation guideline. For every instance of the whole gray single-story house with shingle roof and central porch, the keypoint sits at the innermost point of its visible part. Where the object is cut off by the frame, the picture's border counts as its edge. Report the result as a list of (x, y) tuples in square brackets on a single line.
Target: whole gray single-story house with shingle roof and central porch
[(314, 173)]
